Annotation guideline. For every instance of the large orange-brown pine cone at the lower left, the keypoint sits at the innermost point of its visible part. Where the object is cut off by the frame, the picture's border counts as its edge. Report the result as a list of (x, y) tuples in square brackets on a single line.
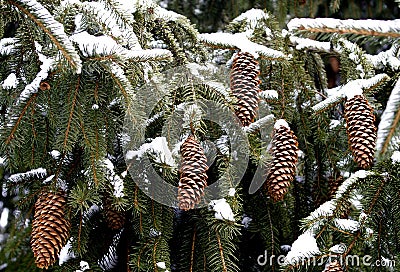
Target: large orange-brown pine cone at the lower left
[(50, 229)]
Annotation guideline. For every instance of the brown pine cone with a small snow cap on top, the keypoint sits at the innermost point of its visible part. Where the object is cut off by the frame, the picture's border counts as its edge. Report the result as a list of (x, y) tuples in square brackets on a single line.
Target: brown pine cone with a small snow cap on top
[(283, 166)]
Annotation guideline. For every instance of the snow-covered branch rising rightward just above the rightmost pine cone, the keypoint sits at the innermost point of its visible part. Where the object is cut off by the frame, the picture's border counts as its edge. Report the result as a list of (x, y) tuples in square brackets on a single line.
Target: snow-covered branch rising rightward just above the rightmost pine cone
[(337, 94)]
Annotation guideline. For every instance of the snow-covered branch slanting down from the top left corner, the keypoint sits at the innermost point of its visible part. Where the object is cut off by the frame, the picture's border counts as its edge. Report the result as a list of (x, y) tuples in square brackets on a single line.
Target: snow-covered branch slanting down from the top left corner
[(55, 30)]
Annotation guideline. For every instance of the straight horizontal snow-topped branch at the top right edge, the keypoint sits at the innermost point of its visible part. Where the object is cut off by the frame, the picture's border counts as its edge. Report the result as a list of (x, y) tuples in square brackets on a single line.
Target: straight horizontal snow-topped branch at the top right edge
[(361, 27)]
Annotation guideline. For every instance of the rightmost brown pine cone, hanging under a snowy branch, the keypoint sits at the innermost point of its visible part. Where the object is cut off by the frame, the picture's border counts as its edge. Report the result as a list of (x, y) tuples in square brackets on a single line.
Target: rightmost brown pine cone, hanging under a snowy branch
[(361, 130)]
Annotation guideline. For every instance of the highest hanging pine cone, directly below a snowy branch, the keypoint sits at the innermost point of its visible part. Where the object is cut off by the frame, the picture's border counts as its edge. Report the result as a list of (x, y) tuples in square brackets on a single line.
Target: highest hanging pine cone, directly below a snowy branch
[(245, 86)]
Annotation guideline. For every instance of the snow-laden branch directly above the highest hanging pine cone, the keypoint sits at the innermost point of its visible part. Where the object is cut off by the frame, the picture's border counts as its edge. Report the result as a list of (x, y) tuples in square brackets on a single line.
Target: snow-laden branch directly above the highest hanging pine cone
[(240, 41)]
